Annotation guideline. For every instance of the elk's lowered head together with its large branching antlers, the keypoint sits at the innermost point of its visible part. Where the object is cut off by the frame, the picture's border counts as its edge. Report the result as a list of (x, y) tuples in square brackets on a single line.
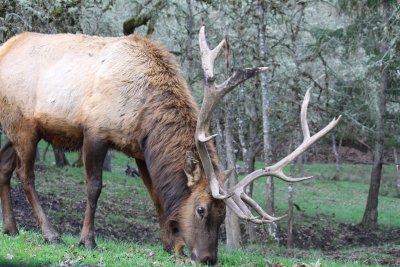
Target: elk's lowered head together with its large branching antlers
[(204, 210)]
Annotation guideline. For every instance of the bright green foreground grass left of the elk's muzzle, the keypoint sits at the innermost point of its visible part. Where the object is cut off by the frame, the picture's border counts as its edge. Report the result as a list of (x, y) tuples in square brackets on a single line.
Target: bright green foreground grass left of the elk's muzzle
[(28, 248)]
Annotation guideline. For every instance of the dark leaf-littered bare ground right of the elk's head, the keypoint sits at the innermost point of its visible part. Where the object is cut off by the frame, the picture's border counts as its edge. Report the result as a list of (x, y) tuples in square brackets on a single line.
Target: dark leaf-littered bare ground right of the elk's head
[(333, 239)]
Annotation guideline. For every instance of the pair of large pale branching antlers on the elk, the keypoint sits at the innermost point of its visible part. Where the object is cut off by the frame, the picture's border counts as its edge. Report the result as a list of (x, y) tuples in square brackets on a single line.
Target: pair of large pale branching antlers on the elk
[(235, 197)]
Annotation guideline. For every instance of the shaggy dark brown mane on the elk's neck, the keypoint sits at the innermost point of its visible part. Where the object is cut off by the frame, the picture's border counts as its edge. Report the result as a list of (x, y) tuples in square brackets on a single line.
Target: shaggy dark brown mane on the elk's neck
[(171, 124)]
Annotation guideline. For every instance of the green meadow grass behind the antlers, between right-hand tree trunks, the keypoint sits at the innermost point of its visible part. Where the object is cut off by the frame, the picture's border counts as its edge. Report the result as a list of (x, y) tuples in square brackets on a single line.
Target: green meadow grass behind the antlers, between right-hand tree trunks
[(344, 200)]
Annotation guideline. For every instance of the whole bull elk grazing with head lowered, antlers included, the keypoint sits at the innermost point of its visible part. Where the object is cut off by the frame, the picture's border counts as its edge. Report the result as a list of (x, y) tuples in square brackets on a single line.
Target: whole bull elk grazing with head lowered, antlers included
[(126, 93)]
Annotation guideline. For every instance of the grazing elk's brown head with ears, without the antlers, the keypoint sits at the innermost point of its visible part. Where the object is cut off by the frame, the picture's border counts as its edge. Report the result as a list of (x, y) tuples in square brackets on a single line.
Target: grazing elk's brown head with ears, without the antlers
[(199, 217)]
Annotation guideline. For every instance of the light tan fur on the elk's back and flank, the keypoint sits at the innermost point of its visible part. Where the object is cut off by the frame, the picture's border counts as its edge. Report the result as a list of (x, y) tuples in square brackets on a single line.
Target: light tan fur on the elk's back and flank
[(65, 83)]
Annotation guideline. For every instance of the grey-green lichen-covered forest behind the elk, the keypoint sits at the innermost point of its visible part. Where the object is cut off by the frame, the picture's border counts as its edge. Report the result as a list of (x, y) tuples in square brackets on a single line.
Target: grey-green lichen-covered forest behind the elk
[(346, 51)]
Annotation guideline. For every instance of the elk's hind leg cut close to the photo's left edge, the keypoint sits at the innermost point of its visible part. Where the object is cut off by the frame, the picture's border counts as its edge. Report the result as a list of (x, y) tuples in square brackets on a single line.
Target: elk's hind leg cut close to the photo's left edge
[(7, 166)]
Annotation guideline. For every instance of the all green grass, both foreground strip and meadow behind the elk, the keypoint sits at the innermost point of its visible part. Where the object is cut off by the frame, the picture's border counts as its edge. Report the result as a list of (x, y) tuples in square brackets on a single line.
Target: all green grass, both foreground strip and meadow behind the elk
[(321, 199)]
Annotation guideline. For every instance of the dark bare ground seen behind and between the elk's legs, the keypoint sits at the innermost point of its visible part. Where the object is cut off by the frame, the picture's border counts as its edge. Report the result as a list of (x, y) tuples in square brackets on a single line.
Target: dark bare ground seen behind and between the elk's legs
[(66, 215)]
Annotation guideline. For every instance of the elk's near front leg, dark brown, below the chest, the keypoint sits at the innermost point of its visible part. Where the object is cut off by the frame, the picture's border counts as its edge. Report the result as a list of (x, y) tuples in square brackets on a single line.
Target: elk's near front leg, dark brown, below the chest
[(94, 153)]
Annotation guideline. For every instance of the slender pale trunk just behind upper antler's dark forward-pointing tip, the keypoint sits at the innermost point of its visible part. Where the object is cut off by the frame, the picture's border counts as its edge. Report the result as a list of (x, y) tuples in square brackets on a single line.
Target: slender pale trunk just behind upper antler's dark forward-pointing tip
[(272, 229)]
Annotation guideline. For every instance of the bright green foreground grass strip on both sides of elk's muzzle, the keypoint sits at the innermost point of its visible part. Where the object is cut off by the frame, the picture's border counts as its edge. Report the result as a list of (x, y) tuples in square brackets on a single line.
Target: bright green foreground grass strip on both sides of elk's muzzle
[(29, 249)]
